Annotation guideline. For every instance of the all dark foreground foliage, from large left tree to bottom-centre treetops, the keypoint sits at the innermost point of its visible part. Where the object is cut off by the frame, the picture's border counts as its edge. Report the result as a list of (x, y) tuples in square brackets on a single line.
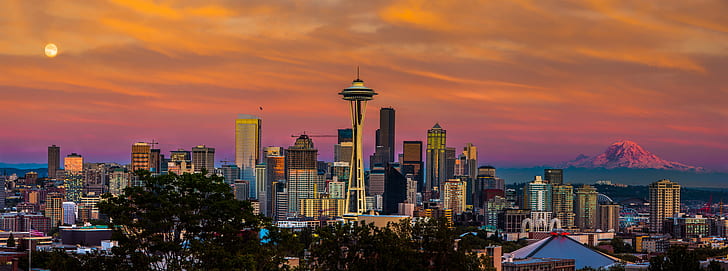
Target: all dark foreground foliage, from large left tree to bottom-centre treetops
[(193, 222)]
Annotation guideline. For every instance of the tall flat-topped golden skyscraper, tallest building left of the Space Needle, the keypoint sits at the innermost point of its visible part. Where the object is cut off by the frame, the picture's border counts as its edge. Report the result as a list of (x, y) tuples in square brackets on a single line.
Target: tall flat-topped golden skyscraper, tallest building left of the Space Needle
[(247, 145)]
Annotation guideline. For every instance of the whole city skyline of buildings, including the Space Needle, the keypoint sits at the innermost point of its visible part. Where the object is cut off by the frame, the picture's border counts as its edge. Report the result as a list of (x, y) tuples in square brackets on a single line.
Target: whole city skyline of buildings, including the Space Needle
[(428, 179)]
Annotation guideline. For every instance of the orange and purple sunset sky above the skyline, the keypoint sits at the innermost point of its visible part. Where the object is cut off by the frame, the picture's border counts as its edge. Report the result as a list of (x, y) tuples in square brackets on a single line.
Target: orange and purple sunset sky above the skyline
[(529, 82)]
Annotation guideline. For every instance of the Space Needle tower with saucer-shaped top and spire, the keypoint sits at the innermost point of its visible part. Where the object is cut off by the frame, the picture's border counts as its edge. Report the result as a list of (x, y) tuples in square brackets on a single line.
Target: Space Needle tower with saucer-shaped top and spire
[(357, 95)]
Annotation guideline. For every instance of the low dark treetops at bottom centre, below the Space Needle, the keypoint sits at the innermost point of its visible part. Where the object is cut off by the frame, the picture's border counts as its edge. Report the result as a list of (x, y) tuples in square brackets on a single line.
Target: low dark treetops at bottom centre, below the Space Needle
[(427, 244)]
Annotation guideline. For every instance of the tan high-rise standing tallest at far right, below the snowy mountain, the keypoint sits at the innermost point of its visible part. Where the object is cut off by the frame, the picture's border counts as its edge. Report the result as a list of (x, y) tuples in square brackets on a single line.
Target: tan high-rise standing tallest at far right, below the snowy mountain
[(664, 203)]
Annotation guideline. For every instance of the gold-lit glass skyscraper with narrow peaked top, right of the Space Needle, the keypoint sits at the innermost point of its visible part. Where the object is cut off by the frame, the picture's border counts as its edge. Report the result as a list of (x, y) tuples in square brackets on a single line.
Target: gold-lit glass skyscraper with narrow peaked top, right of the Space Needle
[(435, 165)]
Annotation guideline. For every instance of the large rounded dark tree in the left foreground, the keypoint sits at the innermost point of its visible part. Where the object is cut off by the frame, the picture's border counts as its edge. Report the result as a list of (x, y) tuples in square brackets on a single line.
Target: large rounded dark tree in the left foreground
[(186, 222)]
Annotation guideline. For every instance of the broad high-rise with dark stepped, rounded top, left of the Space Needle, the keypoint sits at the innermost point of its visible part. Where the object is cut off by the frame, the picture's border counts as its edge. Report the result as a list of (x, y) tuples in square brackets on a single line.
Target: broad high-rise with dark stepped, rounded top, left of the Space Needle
[(302, 179)]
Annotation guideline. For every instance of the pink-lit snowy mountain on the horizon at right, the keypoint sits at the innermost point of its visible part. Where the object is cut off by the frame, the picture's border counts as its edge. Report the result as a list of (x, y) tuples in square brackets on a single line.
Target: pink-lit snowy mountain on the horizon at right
[(628, 154)]
